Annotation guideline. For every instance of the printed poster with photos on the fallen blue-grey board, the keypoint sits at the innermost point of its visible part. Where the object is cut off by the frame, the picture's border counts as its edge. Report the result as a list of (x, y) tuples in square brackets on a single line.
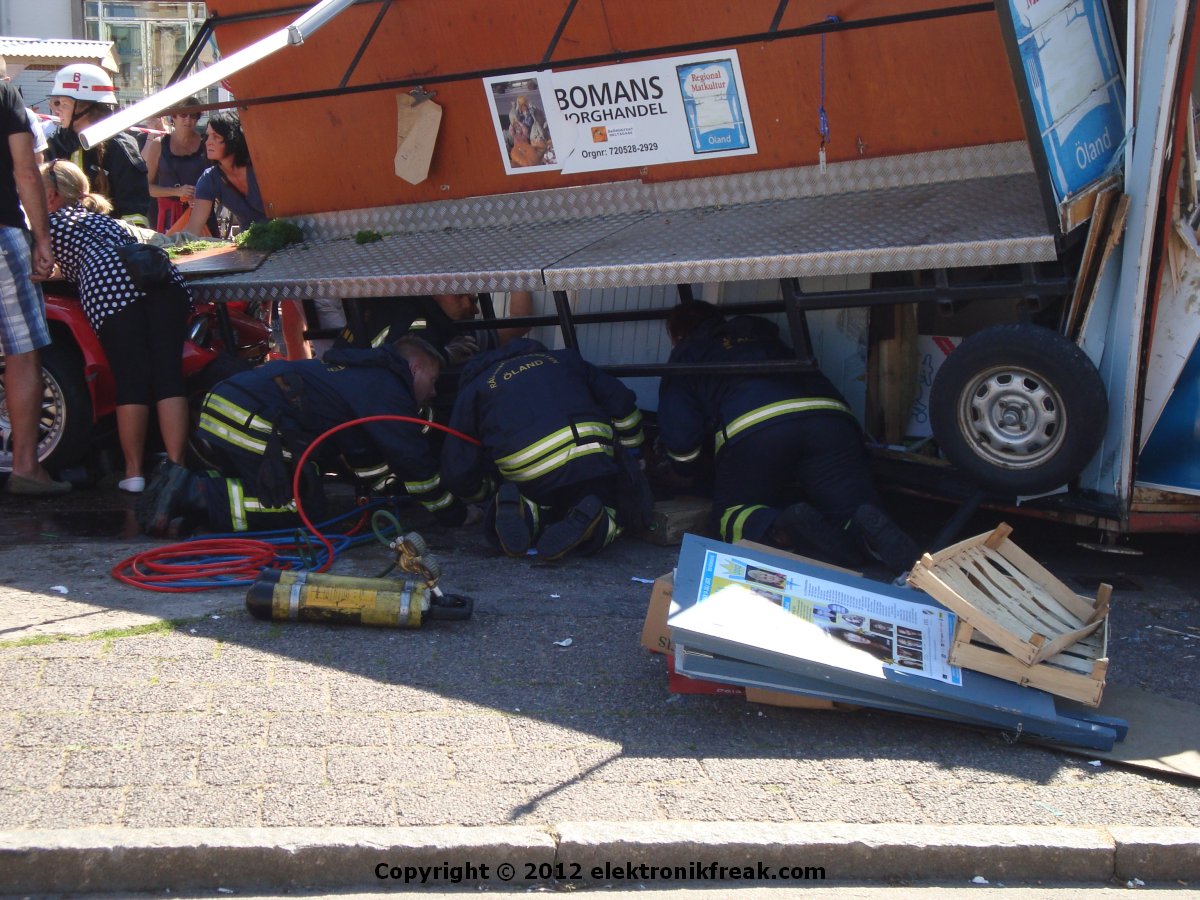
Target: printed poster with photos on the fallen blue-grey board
[(903, 637)]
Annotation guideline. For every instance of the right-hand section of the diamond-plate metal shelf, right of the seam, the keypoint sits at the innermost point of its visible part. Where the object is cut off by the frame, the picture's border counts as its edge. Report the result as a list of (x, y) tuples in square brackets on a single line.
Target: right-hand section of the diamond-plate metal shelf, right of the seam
[(958, 224)]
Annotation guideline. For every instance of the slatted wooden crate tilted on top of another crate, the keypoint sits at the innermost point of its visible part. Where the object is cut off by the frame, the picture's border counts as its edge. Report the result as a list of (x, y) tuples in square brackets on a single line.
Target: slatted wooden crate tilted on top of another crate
[(1010, 598)]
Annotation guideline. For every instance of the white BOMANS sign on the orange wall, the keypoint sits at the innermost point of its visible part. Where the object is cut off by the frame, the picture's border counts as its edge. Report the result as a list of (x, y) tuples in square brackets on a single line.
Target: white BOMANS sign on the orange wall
[(633, 115)]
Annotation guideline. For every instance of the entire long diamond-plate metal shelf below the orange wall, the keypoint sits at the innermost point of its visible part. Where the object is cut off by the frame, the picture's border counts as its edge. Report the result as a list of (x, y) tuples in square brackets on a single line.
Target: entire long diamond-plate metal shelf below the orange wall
[(947, 209)]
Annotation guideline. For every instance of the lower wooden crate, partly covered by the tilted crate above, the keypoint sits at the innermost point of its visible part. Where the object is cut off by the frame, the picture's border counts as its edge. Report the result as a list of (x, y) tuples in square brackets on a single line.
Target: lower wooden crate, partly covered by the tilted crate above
[(1077, 674)]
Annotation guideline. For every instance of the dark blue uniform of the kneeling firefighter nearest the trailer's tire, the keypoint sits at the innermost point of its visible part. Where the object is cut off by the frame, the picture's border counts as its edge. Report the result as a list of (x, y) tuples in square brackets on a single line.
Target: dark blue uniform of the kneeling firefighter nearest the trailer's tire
[(770, 433)]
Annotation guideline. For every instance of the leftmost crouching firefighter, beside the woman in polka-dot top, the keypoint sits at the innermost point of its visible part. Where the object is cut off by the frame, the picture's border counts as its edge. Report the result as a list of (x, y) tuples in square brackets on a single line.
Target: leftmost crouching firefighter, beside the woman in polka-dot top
[(257, 424)]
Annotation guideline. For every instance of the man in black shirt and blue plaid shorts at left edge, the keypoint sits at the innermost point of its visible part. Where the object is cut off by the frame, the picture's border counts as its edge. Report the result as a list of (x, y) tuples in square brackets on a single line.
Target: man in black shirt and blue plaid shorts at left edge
[(23, 328)]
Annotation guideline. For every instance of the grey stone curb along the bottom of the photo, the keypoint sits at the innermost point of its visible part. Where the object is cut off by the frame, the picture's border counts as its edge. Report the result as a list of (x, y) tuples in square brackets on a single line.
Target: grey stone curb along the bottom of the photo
[(115, 860)]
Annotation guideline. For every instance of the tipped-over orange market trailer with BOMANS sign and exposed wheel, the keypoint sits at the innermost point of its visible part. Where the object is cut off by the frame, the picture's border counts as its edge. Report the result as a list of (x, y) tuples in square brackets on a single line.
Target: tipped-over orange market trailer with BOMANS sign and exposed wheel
[(977, 219)]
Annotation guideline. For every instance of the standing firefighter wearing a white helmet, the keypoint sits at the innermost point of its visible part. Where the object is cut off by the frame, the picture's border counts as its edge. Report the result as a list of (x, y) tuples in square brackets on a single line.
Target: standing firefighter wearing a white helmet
[(81, 97)]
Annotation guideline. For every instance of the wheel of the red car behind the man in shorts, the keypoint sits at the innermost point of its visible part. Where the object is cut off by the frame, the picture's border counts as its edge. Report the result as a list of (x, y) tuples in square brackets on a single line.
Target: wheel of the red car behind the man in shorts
[(65, 433)]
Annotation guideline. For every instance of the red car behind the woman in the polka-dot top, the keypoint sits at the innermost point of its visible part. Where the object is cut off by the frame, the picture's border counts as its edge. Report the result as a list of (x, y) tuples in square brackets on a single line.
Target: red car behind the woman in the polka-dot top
[(80, 394)]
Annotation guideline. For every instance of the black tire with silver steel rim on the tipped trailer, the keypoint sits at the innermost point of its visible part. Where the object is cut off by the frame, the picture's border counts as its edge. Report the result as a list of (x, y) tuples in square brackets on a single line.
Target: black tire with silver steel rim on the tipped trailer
[(1019, 409)]
